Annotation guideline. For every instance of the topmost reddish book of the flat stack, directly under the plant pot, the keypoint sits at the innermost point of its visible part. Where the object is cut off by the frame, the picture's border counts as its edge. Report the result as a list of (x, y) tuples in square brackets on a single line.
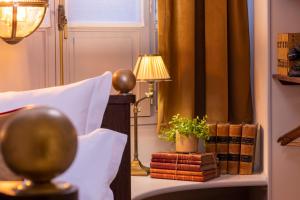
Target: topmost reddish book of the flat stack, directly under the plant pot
[(181, 156)]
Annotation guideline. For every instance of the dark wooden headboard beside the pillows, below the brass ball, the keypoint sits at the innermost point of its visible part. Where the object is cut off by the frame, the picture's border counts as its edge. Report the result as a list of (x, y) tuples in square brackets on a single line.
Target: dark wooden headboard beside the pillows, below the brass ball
[(117, 118)]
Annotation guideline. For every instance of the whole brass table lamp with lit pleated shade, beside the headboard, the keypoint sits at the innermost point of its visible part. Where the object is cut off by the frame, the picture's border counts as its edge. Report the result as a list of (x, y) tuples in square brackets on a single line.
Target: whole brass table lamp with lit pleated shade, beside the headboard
[(151, 69)]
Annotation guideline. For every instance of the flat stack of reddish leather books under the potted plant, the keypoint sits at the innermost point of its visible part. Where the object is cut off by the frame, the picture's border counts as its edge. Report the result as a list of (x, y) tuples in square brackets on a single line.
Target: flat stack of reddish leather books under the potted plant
[(186, 167)]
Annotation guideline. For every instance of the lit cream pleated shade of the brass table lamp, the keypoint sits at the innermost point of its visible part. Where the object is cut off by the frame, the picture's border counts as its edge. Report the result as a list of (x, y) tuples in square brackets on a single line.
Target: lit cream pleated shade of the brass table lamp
[(151, 68)]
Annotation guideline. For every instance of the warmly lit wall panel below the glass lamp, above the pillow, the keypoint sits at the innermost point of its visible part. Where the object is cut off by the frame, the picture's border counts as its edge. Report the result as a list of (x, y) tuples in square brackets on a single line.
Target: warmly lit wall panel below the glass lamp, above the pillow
[(27, 65)]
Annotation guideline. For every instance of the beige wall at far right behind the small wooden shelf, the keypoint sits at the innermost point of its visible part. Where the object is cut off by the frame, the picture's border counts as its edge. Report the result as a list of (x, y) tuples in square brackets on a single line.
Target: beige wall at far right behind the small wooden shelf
[(285, 17)]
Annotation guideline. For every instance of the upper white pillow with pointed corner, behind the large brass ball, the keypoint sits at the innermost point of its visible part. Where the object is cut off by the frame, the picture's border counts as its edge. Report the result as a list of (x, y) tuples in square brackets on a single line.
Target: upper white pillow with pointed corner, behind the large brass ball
[(83, 102)]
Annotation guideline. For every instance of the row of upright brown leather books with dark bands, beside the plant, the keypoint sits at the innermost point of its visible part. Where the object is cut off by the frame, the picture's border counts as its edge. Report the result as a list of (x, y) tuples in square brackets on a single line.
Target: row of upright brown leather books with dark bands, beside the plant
[(234, 145)]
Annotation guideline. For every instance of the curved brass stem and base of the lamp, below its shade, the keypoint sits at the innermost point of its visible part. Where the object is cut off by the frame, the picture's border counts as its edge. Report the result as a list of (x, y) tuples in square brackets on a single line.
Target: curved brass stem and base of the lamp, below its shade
[(137, 168)]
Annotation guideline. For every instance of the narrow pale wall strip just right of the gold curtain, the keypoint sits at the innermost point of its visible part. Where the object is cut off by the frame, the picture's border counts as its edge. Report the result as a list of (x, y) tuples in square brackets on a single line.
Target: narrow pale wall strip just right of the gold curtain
[(262, 75)]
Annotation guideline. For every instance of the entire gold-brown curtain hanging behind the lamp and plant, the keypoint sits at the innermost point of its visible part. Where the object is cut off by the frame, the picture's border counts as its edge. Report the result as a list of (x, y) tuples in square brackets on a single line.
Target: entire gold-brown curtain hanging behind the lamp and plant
[(224, 61)]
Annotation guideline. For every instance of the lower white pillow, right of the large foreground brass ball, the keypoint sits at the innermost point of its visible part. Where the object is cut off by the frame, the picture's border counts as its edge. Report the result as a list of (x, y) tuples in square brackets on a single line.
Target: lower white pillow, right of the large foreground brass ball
[(96, 164)]
